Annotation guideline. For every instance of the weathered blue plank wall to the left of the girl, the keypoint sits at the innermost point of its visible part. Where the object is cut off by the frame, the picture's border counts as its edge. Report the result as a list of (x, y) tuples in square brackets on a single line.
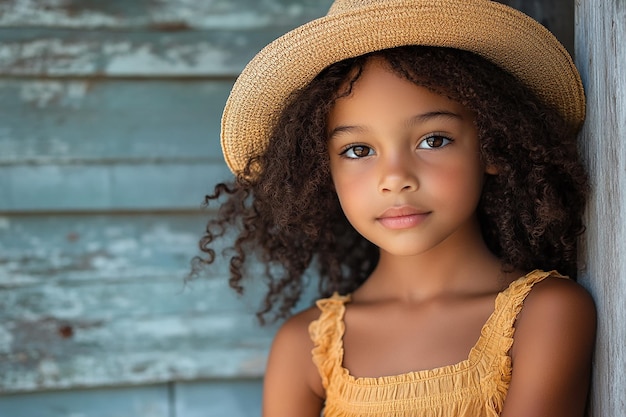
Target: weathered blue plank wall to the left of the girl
[(109, 139)]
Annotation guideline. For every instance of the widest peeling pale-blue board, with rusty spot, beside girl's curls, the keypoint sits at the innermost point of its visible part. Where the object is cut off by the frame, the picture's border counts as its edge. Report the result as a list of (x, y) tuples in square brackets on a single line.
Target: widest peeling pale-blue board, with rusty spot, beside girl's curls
[(100, 300)]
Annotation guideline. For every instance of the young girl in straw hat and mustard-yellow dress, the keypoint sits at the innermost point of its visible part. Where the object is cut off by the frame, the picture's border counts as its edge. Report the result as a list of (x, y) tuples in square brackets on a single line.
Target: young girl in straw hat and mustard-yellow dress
[(421, 157)]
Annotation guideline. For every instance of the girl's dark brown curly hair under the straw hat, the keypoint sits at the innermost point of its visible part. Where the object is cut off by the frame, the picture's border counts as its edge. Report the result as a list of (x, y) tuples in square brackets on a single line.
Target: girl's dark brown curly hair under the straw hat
[(289, 217)]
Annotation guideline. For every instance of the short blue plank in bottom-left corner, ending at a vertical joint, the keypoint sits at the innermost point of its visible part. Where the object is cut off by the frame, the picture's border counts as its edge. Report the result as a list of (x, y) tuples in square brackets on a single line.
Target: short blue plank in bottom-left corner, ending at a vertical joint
[(148, 401)]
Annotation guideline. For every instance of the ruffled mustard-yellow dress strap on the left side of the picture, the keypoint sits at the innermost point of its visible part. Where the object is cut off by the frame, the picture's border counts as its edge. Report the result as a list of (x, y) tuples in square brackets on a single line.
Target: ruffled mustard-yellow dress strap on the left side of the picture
[(326, 333)]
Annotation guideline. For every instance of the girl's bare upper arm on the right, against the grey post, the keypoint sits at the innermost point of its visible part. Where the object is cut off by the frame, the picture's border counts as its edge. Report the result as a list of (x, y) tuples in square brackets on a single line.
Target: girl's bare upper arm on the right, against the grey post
[(552, 352)]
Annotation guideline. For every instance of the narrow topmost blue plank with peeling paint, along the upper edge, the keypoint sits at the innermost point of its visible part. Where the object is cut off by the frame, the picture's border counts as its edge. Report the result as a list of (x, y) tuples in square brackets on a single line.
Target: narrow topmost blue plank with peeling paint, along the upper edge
[(164, 15)]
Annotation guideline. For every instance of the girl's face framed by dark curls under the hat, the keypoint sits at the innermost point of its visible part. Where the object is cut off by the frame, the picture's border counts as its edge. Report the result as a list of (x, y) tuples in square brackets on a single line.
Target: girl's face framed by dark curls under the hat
[(405, 164)]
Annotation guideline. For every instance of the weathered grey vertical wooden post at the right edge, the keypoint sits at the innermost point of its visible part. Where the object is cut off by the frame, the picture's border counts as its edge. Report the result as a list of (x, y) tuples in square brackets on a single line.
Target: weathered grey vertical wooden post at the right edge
[(600, 39)]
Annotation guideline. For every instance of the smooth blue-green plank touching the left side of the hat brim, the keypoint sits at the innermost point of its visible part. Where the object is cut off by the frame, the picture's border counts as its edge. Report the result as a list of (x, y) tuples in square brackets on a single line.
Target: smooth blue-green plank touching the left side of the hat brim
[(78, 121)]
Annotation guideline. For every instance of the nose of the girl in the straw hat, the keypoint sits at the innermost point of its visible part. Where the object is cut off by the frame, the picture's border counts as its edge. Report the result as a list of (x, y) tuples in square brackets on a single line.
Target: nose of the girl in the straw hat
[(398, 173)]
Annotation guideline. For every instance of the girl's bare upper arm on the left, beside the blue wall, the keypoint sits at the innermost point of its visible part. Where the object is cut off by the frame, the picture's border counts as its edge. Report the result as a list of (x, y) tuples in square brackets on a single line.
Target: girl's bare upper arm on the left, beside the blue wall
[(292, 385)]
